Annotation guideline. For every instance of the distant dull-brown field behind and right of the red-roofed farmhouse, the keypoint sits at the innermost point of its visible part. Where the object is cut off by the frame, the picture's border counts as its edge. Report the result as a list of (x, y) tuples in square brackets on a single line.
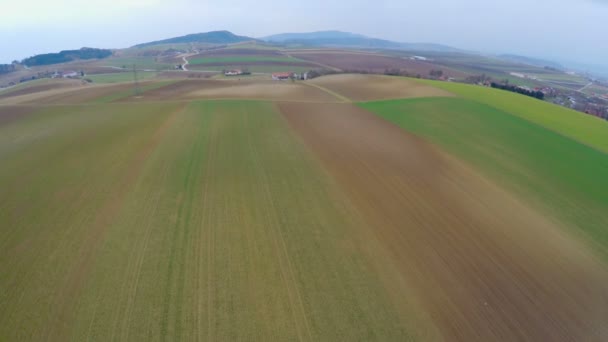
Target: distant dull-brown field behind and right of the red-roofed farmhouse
[(372, 63)]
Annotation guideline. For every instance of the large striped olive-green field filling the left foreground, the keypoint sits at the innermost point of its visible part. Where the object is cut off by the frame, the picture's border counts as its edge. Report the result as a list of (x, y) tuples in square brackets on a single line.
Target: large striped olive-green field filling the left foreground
[(177, 221)]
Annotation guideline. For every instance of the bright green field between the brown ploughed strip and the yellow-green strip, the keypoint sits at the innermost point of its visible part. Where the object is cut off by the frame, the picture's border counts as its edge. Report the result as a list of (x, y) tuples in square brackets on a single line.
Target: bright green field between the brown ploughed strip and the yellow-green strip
[(545, 168)]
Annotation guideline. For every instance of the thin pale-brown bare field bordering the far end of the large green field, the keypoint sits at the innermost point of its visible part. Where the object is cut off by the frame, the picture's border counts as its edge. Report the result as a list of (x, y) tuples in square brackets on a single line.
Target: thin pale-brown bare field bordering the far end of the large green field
[(234, 89)]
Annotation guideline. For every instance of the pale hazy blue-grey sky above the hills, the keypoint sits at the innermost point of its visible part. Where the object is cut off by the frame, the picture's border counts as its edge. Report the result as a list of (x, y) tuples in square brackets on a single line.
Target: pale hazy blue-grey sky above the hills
[(572, 30)]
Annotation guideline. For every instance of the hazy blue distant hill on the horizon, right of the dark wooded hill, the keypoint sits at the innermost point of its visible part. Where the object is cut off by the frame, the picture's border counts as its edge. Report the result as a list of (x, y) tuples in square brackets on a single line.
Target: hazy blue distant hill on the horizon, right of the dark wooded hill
[(347, 39)]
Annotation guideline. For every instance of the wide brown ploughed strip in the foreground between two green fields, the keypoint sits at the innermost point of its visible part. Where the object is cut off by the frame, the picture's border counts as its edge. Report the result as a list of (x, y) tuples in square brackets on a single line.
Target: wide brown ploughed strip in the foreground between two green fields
[(484, 266)]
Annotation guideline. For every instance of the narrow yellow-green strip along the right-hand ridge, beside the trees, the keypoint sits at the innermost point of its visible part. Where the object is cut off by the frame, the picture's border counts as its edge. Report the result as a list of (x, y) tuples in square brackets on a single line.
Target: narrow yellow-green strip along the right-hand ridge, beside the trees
[(584, 128)]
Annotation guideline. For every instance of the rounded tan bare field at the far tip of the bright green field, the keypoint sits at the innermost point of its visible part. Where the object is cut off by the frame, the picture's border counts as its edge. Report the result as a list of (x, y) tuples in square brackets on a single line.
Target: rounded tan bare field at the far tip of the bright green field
[(374, 87)]
